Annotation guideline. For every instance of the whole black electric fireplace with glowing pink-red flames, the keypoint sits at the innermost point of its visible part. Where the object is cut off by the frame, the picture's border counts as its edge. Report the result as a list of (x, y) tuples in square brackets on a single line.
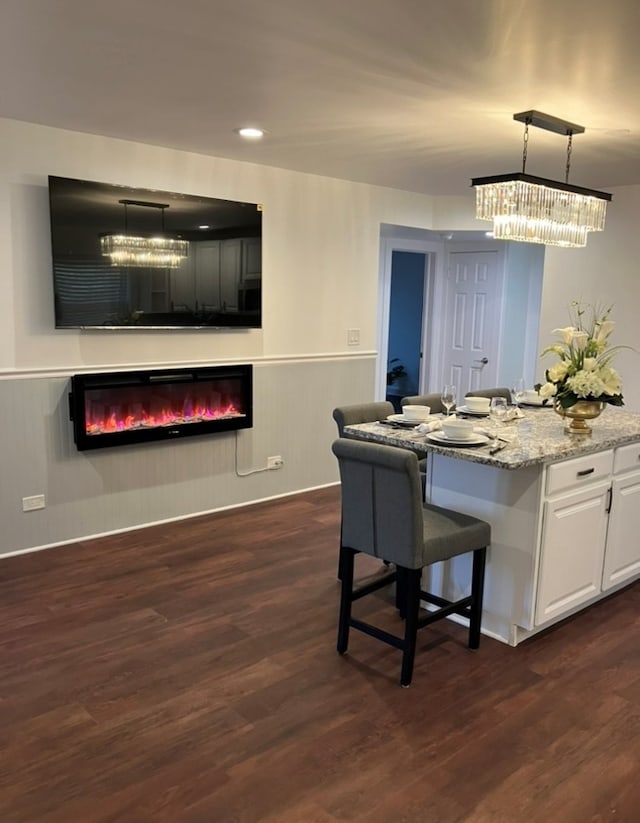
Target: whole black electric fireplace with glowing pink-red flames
[(119, 408)]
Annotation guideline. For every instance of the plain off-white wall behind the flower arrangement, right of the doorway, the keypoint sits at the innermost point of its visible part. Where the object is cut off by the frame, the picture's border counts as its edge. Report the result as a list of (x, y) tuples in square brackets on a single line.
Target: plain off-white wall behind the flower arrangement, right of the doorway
[(605, 272)]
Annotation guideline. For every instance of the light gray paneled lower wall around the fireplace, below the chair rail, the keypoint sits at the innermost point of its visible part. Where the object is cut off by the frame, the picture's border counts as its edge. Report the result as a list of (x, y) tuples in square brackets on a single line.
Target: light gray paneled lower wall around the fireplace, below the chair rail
[(94, 493)]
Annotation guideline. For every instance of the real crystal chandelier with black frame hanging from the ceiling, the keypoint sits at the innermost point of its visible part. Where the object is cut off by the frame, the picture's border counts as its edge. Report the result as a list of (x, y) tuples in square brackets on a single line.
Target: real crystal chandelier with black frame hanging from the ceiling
[(533, 209)]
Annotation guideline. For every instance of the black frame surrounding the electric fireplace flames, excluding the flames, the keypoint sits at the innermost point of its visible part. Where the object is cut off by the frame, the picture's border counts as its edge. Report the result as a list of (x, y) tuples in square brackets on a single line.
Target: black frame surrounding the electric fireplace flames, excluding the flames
[(146, 381)]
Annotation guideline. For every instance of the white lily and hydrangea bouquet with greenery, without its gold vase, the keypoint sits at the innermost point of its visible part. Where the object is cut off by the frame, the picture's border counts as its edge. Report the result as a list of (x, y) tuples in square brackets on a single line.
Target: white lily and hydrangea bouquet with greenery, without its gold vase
[(584, 371)]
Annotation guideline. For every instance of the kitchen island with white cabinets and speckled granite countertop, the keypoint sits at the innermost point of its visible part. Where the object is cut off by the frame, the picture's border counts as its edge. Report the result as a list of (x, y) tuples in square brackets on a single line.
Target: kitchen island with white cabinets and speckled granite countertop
[(564, 511)]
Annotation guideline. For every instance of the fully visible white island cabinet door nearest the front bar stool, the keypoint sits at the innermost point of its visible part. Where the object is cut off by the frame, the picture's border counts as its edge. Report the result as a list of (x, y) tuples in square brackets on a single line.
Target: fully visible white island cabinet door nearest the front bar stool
[(573, 540)]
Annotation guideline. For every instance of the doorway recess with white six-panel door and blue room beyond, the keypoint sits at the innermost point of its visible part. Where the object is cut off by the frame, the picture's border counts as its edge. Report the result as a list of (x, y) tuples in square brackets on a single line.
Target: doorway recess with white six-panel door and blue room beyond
[(453, 267)]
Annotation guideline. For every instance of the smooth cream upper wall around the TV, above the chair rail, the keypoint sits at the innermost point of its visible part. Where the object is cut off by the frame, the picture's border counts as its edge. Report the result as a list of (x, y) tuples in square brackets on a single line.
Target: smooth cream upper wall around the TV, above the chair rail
[(319, 251)]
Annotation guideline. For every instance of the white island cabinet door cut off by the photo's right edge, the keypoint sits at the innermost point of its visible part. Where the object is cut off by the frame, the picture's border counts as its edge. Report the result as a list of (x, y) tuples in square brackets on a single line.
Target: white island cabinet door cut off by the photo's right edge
[(622, 556)]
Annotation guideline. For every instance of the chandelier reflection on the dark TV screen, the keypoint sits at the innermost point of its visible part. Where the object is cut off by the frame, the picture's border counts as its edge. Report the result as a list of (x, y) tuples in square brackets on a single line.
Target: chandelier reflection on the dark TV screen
[(144, 251)]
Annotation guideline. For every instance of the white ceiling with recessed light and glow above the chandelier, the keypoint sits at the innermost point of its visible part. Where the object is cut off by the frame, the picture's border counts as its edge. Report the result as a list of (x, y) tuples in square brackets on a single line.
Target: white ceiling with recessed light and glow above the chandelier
[(412, 94)]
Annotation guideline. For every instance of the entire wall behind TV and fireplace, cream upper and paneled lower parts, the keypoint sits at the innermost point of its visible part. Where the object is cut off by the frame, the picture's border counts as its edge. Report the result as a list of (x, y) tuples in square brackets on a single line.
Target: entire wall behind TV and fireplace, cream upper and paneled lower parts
[(320, 265)]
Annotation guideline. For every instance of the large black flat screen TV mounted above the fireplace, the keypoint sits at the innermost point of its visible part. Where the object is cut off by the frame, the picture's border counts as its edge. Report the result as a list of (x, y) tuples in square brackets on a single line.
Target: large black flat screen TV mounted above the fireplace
[(142, 258)]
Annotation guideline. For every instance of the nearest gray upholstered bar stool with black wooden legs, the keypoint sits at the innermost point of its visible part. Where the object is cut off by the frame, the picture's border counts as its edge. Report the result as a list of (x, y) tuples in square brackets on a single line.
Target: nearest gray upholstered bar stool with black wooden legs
[(383, 515)]
